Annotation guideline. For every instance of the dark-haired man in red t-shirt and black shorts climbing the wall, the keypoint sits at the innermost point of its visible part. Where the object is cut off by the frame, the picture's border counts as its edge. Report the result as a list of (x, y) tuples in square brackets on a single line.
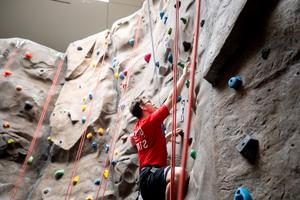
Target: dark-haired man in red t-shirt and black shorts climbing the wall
[(150, 142)]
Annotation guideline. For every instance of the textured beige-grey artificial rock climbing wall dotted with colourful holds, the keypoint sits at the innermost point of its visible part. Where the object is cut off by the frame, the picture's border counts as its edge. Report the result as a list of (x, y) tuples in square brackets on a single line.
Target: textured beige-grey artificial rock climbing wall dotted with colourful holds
[(246, 112)]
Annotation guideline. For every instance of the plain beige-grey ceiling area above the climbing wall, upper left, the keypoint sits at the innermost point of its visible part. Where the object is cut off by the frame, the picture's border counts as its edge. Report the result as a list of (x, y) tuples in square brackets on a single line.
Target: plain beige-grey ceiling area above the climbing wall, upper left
[(57, 23)]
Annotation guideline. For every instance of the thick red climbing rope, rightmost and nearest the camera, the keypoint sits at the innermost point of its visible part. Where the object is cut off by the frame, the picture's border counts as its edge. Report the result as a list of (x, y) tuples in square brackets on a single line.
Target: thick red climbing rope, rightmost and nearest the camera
[(191, 96)]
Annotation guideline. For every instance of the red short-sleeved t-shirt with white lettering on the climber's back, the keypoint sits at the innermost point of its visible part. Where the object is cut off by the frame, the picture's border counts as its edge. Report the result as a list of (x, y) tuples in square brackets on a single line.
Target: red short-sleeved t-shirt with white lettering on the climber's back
[(150, 140)]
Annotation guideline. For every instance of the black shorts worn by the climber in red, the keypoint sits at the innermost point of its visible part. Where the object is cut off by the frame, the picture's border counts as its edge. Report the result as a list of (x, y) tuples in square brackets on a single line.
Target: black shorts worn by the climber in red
[(153, 183)]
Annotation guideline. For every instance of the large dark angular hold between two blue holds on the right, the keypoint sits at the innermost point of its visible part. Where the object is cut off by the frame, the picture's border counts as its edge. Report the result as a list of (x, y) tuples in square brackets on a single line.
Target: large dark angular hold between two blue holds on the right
[(248, 147)]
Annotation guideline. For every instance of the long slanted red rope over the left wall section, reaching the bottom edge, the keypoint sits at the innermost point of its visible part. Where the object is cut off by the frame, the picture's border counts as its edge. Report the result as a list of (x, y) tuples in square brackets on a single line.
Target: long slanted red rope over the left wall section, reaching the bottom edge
[(36, 133)]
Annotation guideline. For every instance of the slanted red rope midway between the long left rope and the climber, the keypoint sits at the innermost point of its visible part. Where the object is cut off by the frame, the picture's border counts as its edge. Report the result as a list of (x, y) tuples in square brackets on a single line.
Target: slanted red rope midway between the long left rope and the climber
[(80, 148)]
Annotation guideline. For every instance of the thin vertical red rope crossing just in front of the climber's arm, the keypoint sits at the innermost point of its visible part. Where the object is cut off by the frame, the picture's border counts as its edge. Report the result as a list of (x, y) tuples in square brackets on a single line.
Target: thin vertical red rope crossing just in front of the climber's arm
[(174, 102)]
